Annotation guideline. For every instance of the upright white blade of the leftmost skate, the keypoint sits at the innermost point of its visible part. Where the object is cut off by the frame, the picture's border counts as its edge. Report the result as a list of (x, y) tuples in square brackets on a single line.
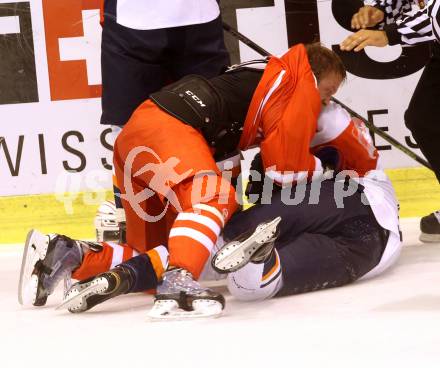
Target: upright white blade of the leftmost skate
[(35, 249)]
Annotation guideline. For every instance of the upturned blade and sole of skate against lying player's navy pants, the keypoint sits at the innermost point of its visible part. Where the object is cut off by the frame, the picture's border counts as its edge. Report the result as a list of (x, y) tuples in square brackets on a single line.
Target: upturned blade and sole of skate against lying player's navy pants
[(235, 255)]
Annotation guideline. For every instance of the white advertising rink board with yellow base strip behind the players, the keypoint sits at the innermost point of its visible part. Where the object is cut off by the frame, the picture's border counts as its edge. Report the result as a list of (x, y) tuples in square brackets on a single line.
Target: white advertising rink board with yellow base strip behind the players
[(56, 160)]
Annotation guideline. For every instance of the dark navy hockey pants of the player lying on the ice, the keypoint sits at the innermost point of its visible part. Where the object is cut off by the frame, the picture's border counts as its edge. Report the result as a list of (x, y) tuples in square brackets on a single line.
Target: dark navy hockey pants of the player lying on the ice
[(320, 245)]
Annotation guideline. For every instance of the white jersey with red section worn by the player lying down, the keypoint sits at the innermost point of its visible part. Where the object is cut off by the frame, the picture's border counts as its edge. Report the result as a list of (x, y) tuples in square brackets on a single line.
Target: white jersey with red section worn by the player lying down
[(351, 137)]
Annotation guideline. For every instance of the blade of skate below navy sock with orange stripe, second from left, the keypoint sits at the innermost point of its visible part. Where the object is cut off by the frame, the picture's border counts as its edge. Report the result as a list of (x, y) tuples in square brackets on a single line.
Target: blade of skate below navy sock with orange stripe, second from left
[(75, 299)]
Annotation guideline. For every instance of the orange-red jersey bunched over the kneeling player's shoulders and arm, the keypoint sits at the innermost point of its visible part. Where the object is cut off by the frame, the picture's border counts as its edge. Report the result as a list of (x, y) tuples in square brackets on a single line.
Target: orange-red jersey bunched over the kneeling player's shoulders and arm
[(285, 109)]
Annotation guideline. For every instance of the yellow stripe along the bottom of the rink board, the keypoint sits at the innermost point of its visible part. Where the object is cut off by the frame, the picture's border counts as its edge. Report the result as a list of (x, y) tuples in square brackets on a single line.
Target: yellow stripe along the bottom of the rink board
[(73, 214)]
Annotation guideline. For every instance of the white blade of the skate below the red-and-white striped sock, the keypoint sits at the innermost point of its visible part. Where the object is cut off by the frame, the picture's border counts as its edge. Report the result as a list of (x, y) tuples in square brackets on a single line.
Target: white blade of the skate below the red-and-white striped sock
[(168, 310)]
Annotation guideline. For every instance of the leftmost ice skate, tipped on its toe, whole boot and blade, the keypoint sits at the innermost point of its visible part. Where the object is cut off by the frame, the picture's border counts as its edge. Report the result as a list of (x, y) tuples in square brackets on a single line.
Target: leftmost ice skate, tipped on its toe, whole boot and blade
[(46, 260)]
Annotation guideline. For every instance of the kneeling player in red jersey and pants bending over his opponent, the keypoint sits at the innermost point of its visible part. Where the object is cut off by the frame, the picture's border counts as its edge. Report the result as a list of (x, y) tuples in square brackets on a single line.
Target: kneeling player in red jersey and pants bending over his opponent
[(165, 159)]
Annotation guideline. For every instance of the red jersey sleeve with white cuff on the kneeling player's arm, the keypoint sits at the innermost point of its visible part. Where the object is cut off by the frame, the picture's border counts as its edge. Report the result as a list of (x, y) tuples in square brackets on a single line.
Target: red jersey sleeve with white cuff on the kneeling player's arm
[(289, 122)]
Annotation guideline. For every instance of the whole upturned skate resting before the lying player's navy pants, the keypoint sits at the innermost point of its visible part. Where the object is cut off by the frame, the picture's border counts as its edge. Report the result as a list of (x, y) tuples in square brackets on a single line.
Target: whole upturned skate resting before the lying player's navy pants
[(252, 246)]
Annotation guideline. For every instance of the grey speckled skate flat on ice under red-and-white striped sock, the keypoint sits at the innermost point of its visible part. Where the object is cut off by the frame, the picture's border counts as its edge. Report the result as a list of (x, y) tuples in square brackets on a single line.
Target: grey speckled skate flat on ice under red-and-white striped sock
[(180, 297)]
